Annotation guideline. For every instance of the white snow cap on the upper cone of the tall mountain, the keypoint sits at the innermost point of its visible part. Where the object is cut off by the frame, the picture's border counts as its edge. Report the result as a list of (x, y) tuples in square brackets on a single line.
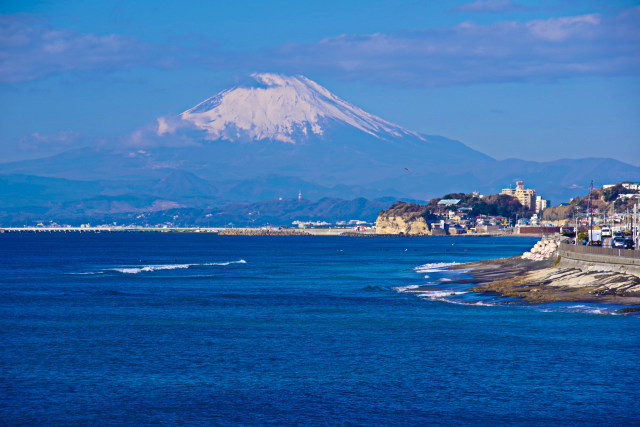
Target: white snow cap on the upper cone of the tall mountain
[(282, 108)]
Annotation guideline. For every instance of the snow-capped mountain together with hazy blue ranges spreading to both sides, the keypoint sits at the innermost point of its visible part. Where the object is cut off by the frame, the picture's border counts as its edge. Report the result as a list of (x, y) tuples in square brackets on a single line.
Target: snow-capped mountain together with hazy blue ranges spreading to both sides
[(271, 140)]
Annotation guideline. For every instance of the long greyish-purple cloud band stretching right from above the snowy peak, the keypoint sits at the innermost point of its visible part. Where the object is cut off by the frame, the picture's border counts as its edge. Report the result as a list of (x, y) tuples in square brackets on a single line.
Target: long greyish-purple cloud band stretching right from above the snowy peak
[(537, 50)]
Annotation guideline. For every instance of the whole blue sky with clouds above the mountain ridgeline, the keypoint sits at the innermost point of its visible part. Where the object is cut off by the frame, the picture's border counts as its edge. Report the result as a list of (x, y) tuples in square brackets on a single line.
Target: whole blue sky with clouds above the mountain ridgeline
[(538, 80)]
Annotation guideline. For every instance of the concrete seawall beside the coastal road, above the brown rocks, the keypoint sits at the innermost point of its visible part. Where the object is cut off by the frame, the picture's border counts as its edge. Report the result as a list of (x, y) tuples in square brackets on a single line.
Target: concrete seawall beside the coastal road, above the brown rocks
[(600, 259)]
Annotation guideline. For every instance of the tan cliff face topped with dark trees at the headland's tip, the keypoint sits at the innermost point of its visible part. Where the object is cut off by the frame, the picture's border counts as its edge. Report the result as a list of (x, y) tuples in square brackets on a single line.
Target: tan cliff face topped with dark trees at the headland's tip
[(403, 218)]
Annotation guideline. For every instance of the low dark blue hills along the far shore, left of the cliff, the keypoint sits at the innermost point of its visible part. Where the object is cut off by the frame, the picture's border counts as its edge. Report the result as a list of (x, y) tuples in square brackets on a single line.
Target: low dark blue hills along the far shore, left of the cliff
[(142, 210)]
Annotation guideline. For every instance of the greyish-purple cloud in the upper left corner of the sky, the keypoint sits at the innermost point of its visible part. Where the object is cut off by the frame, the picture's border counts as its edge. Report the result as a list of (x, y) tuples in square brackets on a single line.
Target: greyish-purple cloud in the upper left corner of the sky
[(31, 49)]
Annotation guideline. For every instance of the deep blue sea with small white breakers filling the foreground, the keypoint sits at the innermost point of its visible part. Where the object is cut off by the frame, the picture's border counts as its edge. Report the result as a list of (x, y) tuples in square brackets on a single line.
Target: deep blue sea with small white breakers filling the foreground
[(175, 329)]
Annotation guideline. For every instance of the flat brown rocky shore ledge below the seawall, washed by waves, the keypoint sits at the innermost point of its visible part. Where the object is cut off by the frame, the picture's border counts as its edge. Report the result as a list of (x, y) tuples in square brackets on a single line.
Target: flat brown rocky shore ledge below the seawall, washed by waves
[(548, 280)]
